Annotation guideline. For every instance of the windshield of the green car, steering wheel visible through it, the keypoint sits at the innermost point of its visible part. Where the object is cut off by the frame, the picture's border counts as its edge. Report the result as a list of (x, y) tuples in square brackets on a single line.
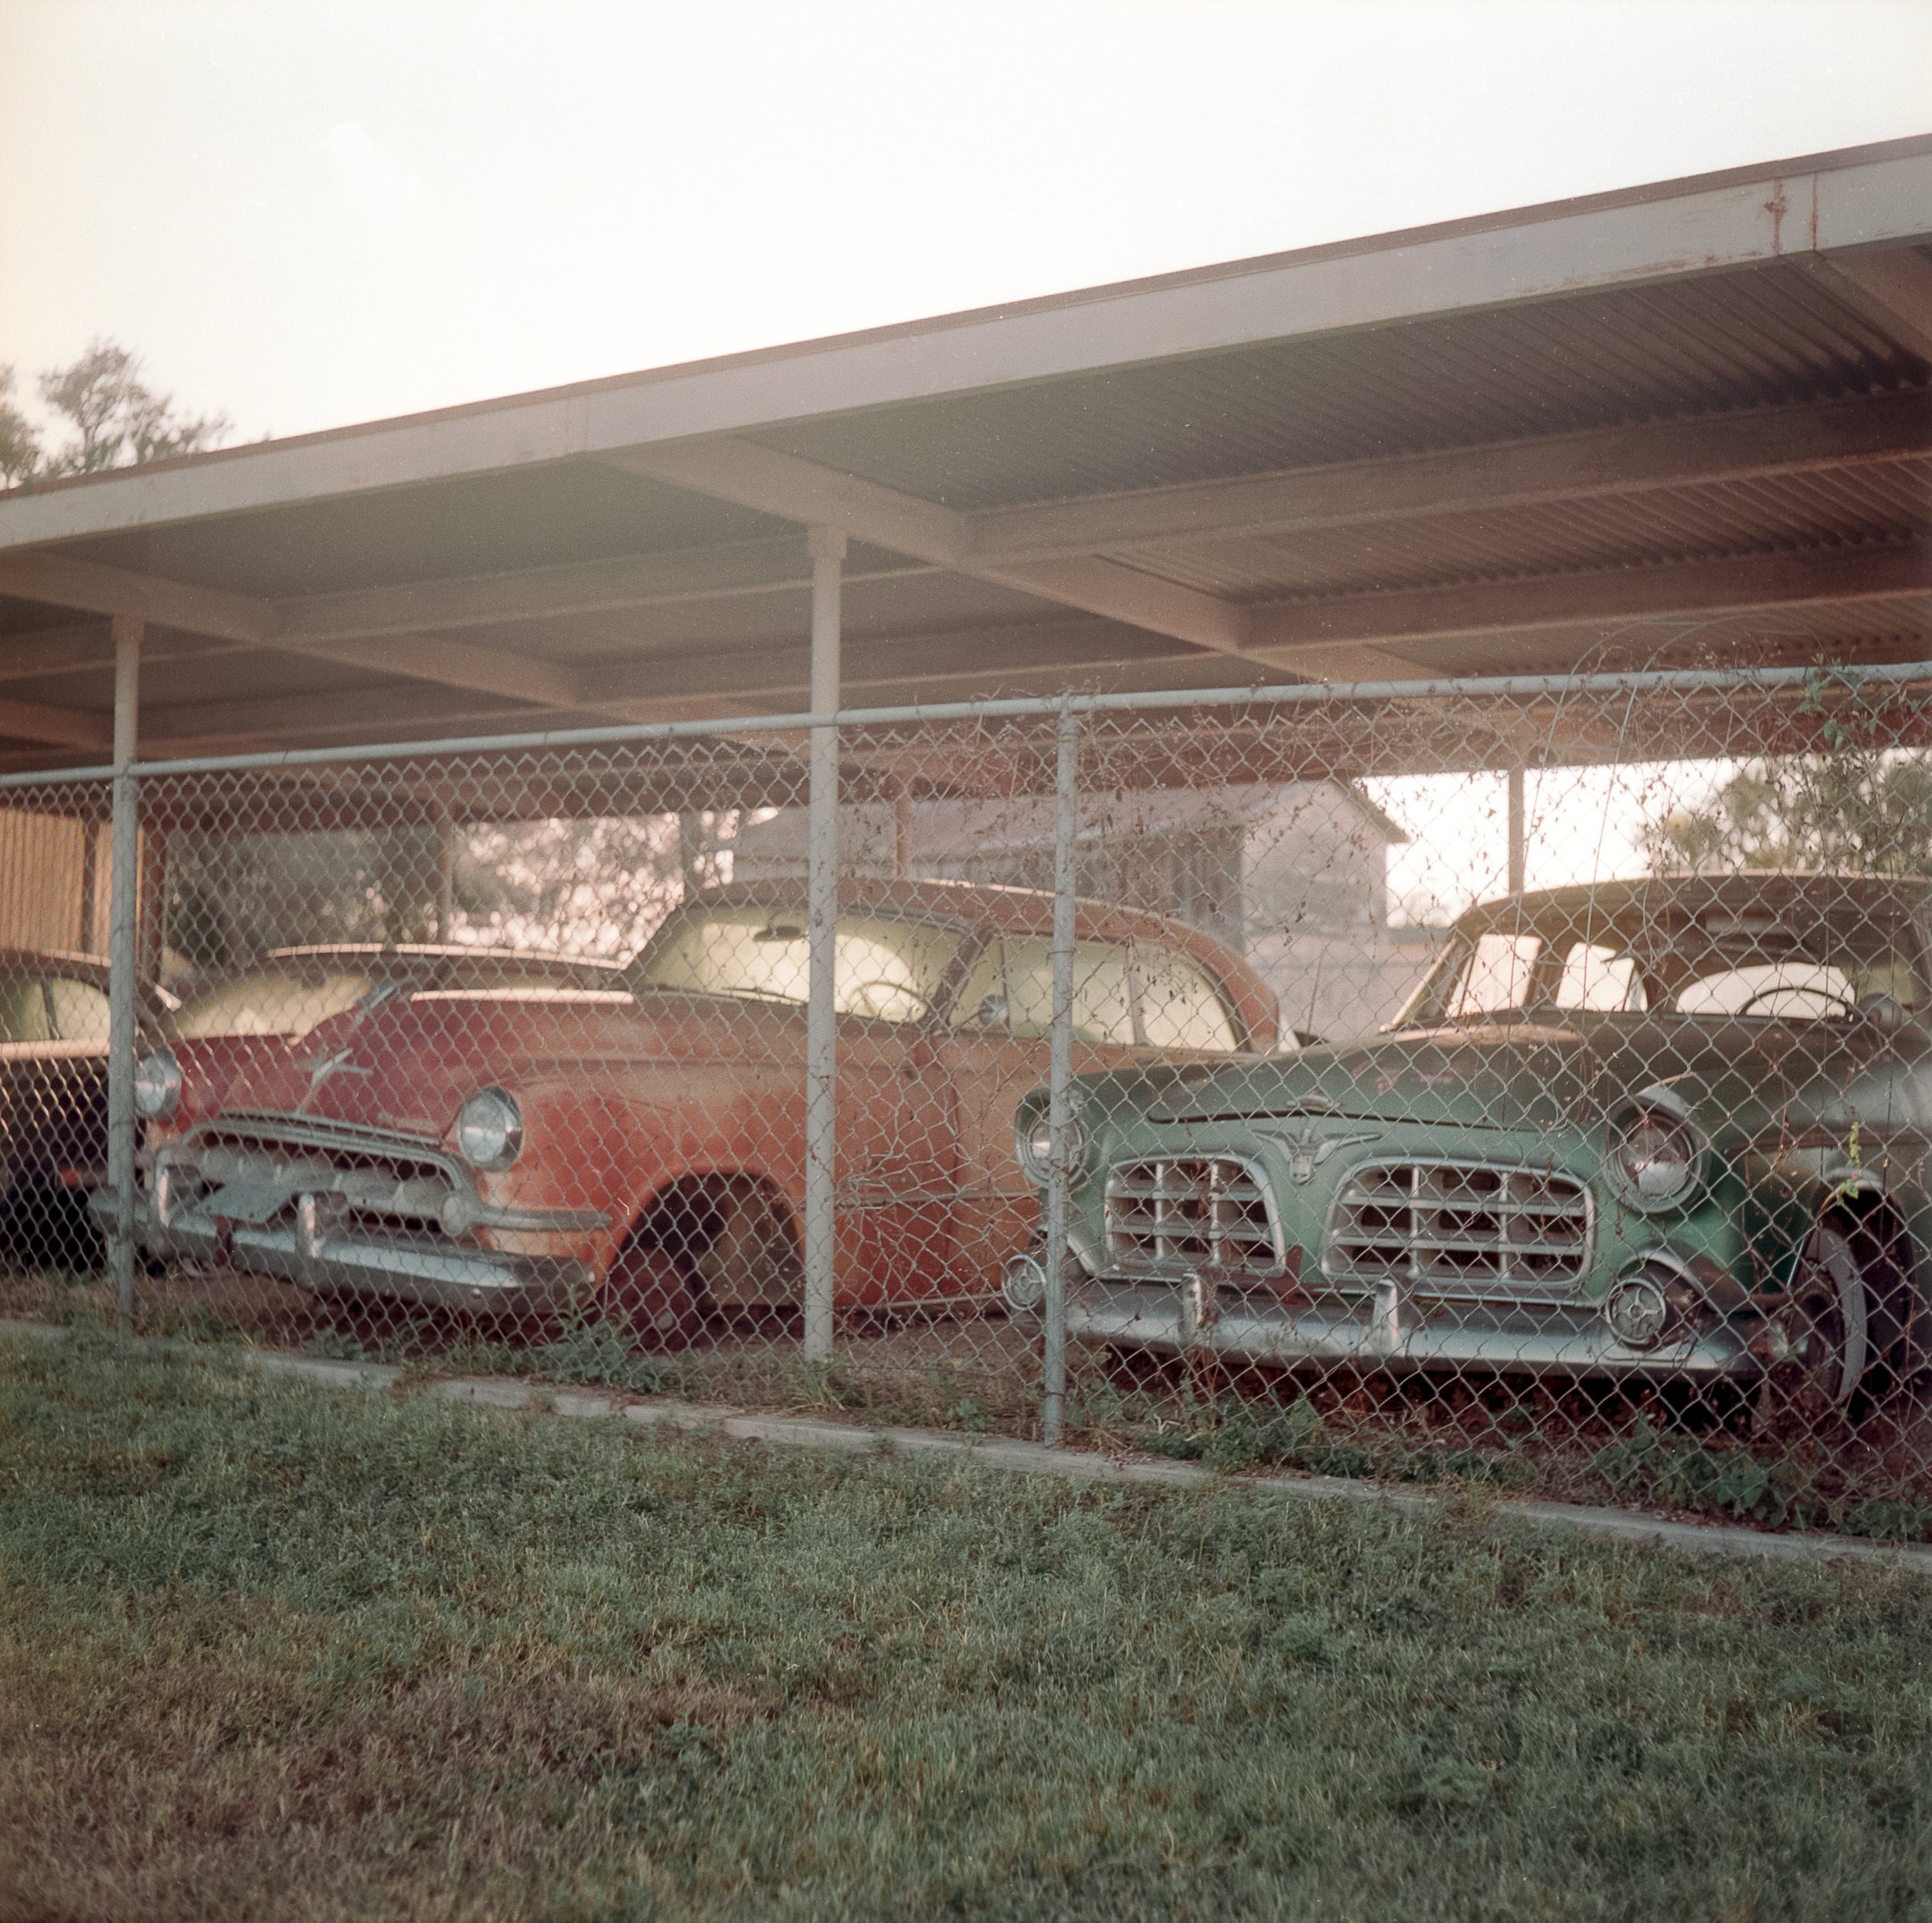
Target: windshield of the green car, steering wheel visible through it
[(1800, 961)]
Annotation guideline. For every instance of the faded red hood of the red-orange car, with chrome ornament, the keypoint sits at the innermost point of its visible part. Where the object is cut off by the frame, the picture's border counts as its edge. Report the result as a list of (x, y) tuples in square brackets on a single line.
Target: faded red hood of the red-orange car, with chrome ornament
[(412, 1067)]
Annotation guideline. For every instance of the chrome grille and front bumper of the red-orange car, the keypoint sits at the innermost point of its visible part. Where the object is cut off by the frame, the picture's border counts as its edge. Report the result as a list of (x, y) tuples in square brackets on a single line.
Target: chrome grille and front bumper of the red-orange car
[(281, 1210)]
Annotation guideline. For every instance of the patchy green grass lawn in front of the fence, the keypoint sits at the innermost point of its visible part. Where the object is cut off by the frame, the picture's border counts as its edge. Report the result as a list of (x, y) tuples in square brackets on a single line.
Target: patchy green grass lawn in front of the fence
[(291, 1654)]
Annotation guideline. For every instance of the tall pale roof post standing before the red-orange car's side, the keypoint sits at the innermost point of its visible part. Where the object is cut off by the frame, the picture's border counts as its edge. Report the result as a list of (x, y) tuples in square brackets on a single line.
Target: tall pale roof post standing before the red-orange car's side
[(822, 928)]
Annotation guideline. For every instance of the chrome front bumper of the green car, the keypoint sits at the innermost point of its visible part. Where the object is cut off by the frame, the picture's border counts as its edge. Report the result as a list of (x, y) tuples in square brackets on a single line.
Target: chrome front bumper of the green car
[(1394, 1331)]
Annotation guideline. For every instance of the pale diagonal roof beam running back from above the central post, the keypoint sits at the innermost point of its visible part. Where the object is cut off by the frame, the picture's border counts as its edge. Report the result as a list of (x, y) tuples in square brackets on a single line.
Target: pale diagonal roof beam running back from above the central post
[(803, 491)]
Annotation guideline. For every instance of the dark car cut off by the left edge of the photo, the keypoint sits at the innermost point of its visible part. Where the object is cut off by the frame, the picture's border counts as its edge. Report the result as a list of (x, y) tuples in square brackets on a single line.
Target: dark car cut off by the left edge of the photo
[(55, 1098)]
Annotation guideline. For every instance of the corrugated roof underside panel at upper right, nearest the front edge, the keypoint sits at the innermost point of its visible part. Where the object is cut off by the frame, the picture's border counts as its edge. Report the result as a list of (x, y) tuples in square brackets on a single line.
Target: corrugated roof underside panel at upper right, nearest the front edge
[(1757, 339)]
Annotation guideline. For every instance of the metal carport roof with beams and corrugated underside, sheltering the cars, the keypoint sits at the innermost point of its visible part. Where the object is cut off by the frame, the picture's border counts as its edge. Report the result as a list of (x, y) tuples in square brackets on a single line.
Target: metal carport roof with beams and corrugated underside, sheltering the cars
[(1686, 420)]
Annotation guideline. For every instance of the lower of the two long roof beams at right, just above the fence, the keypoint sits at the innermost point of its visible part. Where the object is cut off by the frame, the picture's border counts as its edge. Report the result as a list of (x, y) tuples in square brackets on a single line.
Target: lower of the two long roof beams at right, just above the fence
[(1288, 632)]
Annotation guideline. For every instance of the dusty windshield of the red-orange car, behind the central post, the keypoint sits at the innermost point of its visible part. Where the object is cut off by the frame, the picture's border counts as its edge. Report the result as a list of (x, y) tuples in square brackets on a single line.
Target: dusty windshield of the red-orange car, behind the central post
[(886, 970)]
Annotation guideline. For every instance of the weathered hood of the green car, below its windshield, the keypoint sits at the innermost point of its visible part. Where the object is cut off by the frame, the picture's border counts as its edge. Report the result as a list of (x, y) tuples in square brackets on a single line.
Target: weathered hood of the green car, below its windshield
[(1547, 1074)]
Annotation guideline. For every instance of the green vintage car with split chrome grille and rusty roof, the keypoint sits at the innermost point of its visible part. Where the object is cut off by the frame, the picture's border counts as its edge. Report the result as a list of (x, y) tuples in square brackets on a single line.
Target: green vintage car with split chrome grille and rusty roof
[(1666, 1129)]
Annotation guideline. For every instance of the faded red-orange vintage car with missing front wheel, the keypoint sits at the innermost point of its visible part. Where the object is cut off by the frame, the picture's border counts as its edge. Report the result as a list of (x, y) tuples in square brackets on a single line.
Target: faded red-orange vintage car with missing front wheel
[(642, 1150)]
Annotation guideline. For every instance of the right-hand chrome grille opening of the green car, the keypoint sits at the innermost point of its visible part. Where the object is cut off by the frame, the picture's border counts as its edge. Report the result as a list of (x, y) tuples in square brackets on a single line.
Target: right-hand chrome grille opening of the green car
[(1460, 1229)]
